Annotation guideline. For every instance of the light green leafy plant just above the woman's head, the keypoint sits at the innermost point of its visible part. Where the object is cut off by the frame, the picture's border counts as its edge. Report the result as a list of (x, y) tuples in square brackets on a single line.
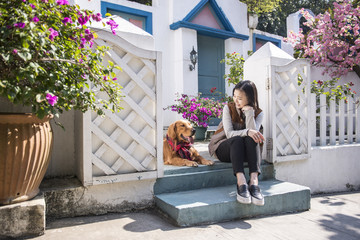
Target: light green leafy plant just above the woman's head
[(236, 61)]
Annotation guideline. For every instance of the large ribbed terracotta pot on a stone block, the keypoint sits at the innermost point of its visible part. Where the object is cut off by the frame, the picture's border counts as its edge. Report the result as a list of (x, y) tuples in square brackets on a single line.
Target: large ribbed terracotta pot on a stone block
[(25, 148)]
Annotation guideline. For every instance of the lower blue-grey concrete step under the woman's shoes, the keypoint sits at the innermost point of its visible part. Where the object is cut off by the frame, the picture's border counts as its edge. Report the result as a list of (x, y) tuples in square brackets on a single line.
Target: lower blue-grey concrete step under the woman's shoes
[(218, 204)]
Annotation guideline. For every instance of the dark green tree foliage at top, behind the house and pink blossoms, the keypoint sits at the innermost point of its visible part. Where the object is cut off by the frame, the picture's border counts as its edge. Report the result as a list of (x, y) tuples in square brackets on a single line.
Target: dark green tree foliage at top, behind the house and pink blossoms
[(275, 22)]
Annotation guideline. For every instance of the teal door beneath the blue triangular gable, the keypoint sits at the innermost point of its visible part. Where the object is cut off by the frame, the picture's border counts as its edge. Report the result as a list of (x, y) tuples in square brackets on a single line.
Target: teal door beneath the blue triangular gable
[(211, 71)]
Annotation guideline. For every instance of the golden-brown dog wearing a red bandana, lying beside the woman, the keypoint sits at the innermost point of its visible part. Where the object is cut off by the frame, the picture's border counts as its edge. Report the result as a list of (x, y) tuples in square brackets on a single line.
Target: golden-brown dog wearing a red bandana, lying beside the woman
[(178, 149)]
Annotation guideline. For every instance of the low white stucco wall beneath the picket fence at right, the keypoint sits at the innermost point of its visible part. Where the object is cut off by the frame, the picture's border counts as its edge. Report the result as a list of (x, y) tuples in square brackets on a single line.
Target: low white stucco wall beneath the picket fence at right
[(330, 169)]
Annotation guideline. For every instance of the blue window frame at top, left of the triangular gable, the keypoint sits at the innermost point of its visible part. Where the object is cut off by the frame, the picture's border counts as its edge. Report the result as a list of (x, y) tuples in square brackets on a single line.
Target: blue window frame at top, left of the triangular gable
[(126, 13)]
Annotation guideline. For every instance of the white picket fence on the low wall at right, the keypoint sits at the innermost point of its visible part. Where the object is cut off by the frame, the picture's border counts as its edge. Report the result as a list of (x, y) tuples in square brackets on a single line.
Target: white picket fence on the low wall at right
[(334, 123)]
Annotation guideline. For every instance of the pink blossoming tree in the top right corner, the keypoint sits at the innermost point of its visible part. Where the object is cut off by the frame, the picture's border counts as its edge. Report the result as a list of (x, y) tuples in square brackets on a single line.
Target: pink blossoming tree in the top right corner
[(333, 40)]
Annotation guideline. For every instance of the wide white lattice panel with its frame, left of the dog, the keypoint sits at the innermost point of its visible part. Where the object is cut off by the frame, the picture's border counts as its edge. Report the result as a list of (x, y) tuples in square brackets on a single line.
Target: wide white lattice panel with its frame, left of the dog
[(127, 146)]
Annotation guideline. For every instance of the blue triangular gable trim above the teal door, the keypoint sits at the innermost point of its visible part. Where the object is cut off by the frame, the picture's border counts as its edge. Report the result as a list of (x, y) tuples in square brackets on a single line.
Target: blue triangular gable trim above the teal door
[(227, 32)]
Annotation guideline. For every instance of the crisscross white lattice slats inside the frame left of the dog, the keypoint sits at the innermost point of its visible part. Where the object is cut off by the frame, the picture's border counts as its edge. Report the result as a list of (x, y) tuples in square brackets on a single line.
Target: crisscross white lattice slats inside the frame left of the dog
[(125, 142)]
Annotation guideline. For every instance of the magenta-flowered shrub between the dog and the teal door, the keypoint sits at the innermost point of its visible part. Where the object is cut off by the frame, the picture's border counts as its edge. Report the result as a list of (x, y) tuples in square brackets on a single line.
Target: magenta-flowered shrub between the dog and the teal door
[(196, 109)]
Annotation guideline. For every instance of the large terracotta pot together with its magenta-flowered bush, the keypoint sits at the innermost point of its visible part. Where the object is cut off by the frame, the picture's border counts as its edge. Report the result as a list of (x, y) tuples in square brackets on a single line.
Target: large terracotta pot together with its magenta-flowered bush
[(48, 62)]
